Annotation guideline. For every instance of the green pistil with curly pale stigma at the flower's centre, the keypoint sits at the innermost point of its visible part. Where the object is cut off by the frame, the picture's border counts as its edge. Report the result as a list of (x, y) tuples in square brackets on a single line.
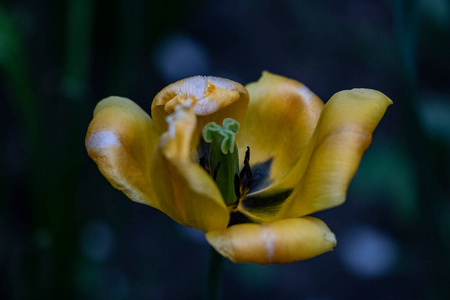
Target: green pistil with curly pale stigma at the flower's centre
[(223, 156)]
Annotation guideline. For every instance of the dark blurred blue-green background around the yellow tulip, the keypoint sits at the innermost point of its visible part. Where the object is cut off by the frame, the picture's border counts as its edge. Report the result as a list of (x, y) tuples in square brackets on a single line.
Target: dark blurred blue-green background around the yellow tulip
[(65, 233)]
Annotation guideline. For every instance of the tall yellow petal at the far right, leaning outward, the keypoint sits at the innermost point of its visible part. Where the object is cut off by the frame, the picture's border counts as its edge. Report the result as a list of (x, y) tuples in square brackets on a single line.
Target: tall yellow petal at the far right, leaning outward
[(333, 155)]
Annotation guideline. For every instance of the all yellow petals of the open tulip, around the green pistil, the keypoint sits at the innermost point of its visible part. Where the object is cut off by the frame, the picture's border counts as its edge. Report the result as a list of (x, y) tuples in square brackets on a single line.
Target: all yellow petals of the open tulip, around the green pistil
[(303, 155)]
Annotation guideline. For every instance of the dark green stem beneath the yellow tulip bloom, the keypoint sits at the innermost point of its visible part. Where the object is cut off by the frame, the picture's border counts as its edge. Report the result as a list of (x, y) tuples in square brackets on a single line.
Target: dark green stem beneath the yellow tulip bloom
[(213, 287)]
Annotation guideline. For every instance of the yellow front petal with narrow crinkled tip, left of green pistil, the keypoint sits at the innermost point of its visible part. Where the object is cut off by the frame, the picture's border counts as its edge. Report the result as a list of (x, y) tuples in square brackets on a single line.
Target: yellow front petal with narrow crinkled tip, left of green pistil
[(186, 192)]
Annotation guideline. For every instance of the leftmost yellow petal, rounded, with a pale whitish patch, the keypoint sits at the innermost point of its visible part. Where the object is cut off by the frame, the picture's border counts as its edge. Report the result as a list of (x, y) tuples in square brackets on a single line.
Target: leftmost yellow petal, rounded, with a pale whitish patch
[(121, 139)]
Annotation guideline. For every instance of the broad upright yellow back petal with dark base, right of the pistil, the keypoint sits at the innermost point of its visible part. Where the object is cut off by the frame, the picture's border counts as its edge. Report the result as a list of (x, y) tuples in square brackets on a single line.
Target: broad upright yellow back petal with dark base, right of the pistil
[(280, 120)]
